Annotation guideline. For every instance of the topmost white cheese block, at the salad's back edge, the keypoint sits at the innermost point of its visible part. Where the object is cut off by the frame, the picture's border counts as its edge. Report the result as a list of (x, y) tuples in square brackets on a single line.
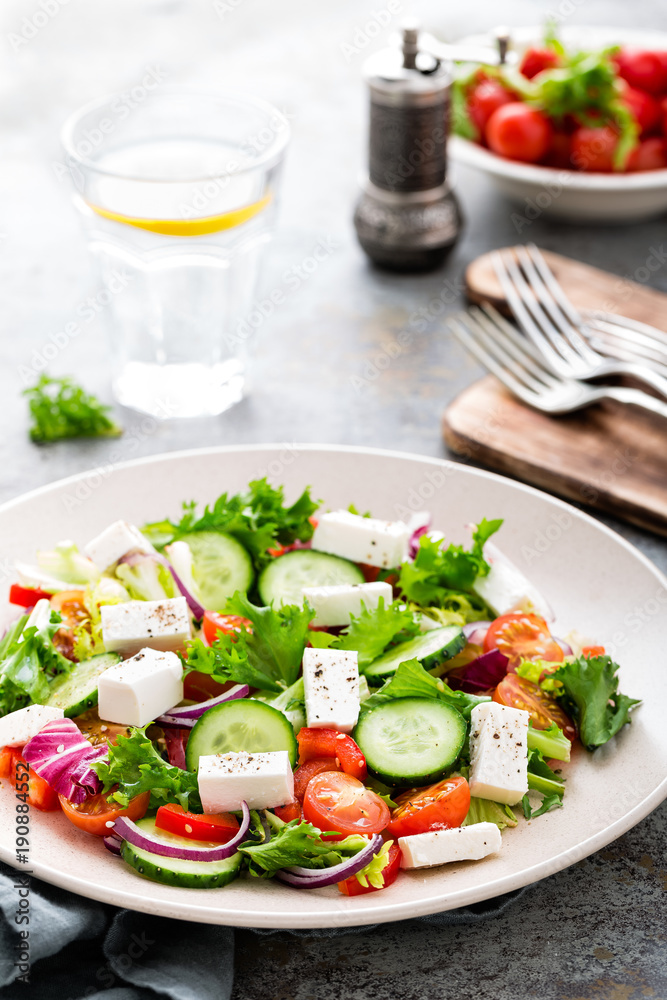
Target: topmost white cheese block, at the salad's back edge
[(362, 539)]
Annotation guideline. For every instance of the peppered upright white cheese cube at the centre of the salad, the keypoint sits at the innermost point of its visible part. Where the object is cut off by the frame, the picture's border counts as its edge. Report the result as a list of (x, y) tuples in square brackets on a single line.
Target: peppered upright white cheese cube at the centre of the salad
[(331, 687)]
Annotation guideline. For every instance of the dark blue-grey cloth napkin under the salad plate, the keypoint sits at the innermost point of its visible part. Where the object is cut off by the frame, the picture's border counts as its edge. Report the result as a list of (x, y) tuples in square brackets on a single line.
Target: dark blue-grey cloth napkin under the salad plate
[(80, 948)]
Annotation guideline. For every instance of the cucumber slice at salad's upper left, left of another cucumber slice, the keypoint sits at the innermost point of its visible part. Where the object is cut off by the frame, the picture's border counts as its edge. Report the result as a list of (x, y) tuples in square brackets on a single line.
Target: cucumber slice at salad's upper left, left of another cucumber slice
[(220, 566)]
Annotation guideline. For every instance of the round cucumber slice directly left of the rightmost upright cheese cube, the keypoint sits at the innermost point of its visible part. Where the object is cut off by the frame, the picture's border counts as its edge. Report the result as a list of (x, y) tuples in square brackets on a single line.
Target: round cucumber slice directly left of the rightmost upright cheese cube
[(411, 741)]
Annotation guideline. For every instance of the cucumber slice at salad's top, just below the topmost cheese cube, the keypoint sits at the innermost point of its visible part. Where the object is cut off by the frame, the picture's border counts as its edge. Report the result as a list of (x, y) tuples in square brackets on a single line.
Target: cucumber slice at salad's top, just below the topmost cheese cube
[(283, 579)]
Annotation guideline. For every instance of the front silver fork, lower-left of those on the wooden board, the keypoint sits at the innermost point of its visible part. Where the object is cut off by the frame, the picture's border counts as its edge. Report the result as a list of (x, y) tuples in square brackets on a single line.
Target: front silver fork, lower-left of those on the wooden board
[(520, 367)]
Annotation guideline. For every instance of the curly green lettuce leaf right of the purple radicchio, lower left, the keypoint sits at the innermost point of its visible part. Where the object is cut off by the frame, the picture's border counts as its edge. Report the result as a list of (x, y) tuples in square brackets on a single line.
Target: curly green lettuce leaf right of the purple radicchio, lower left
[(135, 765)]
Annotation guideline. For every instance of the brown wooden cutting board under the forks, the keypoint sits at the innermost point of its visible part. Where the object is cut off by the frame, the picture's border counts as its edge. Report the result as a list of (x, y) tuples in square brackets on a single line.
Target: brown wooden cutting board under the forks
[(609, 457)]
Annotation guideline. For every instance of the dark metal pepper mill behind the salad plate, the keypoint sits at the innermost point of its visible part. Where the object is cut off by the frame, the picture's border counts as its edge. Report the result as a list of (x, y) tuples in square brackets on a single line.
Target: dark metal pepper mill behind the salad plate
[(408, 218)]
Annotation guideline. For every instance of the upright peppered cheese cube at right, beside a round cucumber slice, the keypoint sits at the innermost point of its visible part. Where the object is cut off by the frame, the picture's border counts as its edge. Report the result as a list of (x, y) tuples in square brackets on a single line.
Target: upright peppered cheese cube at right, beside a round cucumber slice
[(498, 753)]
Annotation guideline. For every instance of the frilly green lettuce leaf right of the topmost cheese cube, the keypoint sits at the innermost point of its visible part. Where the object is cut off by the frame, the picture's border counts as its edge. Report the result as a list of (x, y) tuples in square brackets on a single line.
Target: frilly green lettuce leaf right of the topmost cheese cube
[(445, 577)]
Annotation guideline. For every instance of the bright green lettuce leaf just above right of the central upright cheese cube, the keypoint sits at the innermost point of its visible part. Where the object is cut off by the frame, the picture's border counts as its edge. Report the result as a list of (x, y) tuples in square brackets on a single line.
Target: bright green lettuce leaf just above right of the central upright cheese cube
[(372, 632)]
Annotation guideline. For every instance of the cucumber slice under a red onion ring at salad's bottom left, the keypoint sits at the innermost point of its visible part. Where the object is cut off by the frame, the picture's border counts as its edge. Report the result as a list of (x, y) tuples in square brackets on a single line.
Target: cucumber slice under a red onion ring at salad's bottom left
[(174, 871)]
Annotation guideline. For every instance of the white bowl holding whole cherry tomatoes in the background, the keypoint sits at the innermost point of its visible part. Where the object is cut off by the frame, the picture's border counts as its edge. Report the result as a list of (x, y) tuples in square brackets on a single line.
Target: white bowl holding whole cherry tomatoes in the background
[(570, 194)]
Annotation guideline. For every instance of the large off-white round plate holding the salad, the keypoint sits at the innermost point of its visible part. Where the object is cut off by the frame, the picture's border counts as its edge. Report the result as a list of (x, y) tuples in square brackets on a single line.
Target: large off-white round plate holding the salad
[(595, 581)]
